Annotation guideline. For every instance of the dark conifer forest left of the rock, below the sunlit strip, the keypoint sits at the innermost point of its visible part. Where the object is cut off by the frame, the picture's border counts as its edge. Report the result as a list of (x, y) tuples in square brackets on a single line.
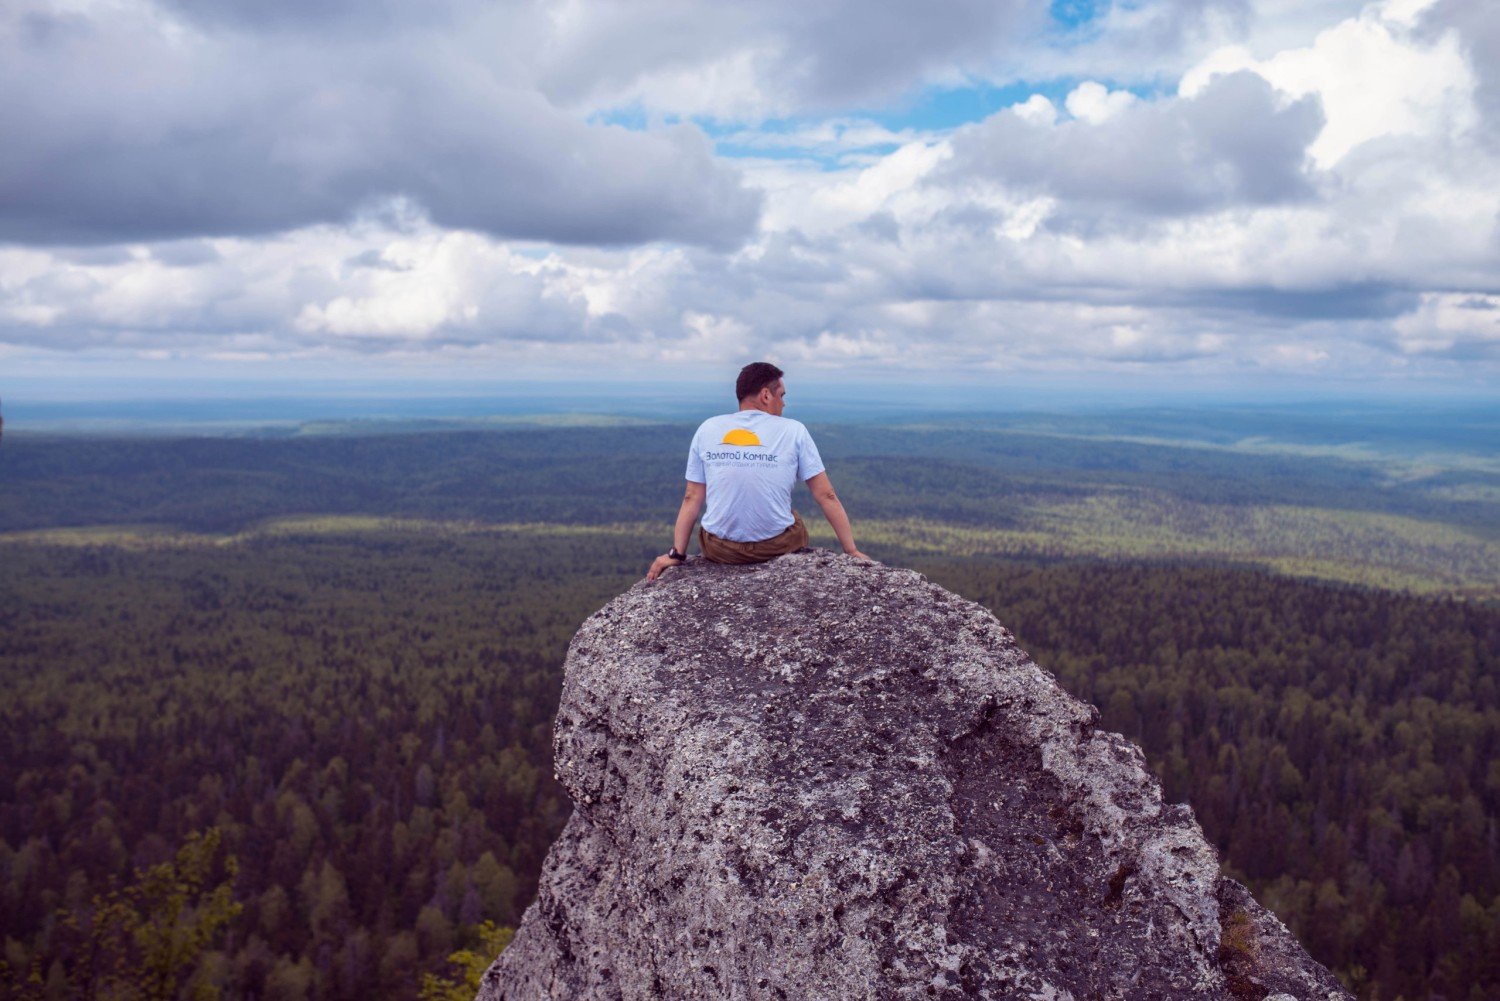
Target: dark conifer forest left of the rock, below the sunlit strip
[(365, 718)]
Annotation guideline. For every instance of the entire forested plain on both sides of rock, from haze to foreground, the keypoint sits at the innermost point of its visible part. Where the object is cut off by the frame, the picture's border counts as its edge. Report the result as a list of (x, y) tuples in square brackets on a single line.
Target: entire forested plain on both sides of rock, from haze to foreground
[(319, 693)]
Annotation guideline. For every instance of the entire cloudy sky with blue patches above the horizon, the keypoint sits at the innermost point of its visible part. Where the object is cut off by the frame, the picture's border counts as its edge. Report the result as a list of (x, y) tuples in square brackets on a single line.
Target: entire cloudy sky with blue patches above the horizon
[(1159, 190)]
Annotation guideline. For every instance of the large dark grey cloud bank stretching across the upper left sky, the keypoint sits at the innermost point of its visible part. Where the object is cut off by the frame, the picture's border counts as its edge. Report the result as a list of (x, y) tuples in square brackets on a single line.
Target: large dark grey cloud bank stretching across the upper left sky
[(116, 130)]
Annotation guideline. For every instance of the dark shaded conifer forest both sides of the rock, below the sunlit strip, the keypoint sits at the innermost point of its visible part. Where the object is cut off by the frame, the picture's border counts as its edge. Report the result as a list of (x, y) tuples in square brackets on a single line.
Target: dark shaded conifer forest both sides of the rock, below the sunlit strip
[(367, 720)]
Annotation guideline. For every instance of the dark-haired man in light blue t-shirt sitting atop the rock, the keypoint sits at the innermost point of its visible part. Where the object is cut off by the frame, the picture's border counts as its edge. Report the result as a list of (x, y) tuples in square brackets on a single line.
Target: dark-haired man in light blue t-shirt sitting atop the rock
[(740, 476)]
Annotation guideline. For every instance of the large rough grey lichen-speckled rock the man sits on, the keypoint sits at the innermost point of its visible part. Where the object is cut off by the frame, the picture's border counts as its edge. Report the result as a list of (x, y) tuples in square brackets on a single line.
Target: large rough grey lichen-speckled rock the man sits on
[(821, 778)]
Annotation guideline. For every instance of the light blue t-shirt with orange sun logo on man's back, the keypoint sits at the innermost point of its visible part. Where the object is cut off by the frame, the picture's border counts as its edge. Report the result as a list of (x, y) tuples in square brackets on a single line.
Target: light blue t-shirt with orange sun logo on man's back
[(751, 463)]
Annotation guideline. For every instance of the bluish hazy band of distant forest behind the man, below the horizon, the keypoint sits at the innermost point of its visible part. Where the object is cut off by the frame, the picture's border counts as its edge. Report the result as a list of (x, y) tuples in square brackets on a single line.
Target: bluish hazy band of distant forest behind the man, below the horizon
[(970, 476)]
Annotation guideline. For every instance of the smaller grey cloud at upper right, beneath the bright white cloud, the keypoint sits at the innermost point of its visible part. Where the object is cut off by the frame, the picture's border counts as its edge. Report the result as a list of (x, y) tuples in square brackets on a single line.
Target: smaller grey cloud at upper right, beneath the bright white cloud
[(1235, 143)]
